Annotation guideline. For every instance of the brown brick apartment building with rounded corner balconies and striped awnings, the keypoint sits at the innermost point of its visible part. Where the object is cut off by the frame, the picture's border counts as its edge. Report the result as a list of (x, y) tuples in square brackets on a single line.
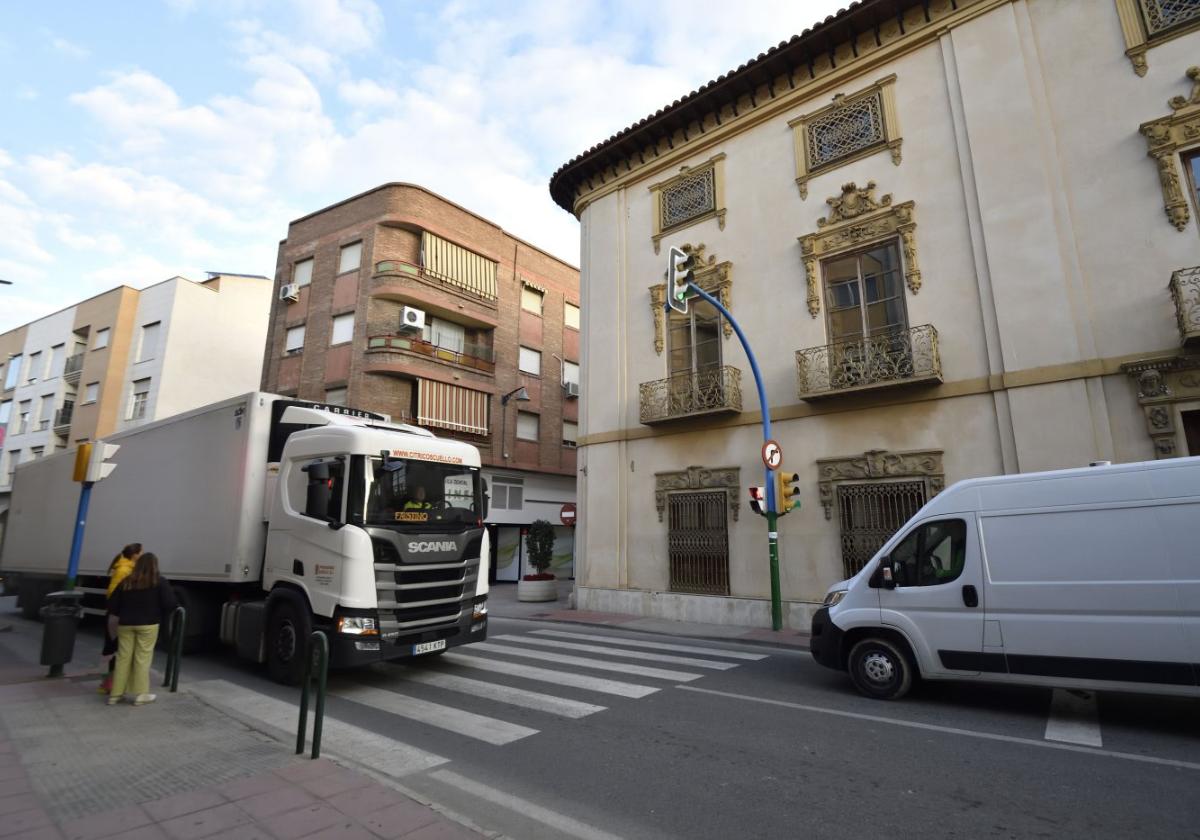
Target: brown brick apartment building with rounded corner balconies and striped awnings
[(403, 303)]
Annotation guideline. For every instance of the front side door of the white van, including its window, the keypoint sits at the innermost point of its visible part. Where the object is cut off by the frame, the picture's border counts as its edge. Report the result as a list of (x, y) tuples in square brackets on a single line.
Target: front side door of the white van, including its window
[(938, 599)]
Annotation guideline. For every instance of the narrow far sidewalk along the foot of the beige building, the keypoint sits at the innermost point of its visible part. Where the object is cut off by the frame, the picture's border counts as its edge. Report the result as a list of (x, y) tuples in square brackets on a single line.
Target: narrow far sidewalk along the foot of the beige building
[(502, 603)]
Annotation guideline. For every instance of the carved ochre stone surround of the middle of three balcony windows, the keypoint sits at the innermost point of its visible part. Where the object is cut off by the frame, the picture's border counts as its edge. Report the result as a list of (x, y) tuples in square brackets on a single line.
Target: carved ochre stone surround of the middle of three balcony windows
[(857, 219)]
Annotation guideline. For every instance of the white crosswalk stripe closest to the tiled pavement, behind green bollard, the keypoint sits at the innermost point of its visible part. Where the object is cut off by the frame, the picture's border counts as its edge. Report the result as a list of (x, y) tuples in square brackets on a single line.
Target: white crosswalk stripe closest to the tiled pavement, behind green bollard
[(385, 755)]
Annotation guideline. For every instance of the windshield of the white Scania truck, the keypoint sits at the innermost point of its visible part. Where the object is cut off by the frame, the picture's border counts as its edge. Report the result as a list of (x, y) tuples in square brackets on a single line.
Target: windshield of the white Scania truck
[(421, 493)]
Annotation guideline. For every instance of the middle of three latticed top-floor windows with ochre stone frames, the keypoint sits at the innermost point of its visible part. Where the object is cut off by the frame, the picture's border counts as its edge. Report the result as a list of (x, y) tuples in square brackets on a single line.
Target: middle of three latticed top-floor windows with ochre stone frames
[(851, 128)]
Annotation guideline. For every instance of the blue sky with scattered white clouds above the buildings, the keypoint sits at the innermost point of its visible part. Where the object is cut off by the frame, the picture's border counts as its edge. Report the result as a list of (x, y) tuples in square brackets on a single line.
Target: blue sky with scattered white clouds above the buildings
[(151, 139)]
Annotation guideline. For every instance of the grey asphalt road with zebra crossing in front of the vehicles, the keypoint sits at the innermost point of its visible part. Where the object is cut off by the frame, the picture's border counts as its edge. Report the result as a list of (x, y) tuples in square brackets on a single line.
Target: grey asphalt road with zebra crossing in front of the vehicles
[(723, 747)]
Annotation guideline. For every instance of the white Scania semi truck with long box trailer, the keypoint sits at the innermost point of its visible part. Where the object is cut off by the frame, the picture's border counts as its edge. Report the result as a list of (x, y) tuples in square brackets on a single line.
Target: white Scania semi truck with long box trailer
[(274, 518)]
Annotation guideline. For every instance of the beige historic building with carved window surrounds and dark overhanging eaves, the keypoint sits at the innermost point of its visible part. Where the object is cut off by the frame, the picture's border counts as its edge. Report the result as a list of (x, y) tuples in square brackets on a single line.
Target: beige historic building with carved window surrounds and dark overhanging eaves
[(962, 237)]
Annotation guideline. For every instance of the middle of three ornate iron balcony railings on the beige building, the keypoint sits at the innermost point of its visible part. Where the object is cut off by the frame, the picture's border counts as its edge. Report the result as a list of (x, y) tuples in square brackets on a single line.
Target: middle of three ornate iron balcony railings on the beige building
[(901, 358)]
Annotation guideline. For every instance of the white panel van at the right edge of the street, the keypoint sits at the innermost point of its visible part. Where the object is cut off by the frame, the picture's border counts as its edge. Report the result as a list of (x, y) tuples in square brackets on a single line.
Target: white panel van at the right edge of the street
[(1084, 579)]
